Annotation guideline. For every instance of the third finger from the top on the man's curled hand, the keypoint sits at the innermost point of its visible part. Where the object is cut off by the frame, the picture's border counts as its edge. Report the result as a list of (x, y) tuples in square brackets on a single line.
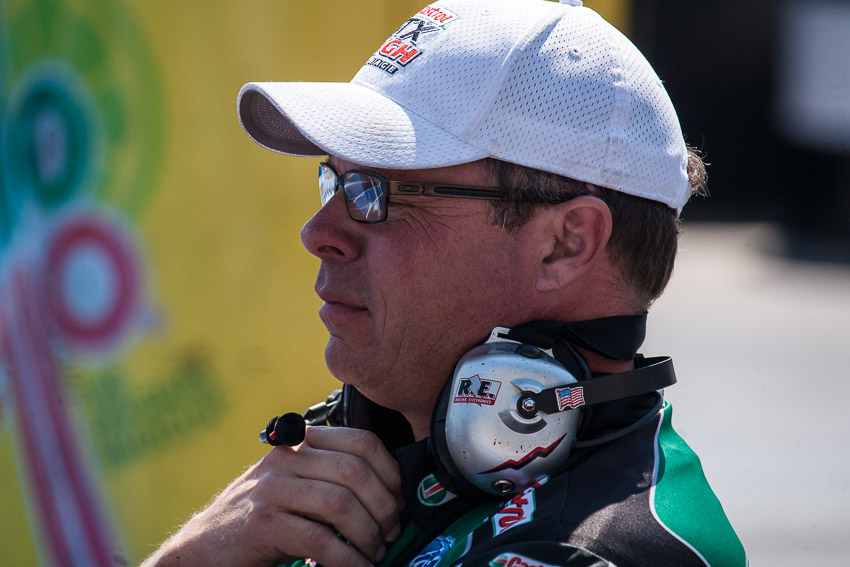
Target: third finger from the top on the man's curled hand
[(327, 503)]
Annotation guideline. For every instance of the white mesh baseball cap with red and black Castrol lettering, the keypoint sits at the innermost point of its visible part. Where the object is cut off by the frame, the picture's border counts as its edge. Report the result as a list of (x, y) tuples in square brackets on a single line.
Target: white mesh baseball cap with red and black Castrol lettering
[(541, 84)]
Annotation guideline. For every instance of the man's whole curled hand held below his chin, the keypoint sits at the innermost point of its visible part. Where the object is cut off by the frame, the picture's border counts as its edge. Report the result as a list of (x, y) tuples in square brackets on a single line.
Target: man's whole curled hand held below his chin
[(292, 503)]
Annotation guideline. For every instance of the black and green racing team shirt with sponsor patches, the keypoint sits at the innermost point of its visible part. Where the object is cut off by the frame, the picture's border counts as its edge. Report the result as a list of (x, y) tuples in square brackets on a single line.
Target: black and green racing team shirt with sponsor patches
[(638, 501)]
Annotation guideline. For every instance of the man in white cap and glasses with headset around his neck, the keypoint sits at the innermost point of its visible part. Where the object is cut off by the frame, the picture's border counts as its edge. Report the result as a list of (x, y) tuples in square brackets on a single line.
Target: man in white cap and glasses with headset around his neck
[(496, 163)]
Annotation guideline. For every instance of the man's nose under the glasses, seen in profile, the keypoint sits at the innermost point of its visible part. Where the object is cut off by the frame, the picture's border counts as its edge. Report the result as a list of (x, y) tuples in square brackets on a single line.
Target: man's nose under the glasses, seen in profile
[(331, 234)]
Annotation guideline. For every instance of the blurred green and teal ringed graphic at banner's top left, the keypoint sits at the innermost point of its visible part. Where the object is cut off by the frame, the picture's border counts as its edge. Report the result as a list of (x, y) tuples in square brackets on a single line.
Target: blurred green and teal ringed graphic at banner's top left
[(81, 79)]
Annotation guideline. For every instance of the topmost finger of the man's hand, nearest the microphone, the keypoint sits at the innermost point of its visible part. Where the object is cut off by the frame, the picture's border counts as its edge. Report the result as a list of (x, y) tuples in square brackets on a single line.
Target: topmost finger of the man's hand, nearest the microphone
[(365, 445)]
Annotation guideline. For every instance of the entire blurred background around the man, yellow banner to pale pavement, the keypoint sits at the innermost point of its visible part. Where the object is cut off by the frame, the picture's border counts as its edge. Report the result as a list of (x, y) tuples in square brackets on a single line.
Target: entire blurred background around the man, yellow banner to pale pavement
[(156, 306)]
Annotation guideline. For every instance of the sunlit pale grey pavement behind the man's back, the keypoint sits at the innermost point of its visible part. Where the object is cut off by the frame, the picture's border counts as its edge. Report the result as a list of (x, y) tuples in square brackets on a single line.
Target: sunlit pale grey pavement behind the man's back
[(759, 343)]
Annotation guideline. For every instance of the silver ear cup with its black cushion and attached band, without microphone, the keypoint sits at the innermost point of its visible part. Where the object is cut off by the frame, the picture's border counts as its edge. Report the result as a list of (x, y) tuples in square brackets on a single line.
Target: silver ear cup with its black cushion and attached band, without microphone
[(510, 413)]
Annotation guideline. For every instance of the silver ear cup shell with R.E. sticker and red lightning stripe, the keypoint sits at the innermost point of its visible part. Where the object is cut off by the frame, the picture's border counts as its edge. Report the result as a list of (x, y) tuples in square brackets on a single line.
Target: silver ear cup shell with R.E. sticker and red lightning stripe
[(494, 435)]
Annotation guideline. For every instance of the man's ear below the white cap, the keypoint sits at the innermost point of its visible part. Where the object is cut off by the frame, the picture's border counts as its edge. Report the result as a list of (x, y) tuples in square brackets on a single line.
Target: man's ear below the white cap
[(579, 230)]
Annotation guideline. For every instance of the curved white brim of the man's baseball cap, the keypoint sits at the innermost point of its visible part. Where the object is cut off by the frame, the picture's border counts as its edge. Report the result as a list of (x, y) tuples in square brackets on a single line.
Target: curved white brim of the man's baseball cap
[(348, 121)]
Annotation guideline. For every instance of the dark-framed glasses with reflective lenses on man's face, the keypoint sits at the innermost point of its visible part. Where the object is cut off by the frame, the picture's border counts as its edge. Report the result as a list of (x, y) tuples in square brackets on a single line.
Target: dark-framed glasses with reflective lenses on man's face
[(367, 193)]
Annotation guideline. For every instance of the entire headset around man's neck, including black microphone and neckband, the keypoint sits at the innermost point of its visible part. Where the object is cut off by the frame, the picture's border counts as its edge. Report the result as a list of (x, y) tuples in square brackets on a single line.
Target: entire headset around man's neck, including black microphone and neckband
[(510, 412)]
